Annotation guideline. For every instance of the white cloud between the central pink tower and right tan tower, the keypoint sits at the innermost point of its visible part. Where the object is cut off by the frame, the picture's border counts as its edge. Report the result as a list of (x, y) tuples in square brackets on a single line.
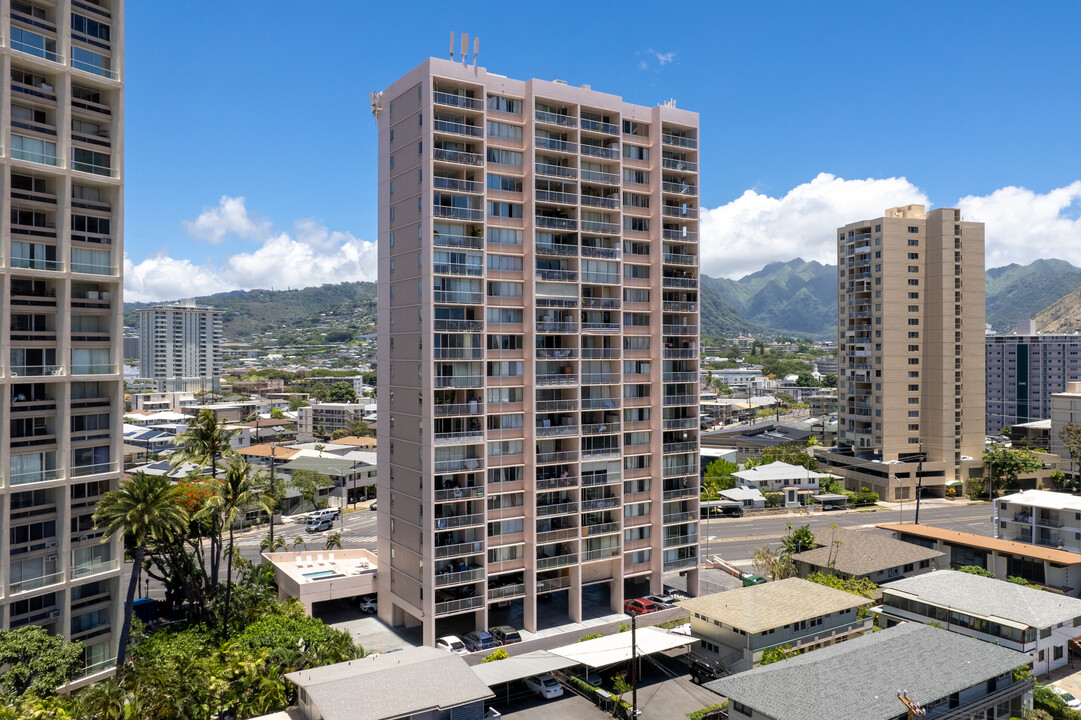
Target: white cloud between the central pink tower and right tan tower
[(755, 229)]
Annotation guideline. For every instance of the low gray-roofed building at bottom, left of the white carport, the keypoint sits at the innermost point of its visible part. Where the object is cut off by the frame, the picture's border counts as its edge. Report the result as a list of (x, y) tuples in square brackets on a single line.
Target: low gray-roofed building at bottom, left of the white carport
[(416, 683)]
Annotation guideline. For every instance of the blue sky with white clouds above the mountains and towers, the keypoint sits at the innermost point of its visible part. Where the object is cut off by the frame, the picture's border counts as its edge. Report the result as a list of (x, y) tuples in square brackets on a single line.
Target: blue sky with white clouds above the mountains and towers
[(251, 148)]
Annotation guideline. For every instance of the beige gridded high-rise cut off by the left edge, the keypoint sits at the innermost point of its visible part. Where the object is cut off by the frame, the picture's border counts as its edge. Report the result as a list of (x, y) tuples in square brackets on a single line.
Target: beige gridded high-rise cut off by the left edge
[(61, 319)]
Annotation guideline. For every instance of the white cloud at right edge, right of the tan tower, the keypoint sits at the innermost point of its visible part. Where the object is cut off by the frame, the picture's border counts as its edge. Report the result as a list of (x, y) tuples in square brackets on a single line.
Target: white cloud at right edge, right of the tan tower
[(1022, 226)]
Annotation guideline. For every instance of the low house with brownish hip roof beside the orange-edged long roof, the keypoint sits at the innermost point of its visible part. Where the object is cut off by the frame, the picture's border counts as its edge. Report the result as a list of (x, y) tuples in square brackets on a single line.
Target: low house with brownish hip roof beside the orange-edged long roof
[(857, 554)]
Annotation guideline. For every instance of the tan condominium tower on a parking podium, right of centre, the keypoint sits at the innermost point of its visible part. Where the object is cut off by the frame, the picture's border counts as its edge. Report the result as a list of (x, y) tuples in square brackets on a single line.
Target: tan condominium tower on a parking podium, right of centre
[(911, 352)]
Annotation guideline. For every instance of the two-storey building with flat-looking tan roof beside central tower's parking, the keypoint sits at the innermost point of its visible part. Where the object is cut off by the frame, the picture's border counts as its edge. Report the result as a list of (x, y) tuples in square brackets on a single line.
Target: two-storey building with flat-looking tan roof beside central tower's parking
[(736, 628)]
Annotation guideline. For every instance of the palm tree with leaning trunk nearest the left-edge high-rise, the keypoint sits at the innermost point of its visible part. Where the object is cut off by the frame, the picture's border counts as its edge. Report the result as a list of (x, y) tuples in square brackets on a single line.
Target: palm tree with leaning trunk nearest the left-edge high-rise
[(145, 509)]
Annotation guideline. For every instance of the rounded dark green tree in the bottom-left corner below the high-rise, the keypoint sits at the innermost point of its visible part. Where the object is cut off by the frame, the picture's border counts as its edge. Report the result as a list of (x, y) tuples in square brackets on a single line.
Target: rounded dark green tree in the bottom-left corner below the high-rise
[(37, 662)]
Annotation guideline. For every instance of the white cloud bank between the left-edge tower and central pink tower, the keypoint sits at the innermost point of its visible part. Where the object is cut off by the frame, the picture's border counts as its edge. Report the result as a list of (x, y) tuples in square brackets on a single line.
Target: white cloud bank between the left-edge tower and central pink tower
[(312, 256)]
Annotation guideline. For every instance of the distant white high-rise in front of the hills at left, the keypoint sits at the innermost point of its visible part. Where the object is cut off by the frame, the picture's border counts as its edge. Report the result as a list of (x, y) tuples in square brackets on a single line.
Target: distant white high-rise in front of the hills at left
[(181, 348)]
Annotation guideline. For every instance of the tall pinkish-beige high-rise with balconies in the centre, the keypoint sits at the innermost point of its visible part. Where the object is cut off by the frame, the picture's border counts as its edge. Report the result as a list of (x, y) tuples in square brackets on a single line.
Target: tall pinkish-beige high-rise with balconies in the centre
[(539, 350)]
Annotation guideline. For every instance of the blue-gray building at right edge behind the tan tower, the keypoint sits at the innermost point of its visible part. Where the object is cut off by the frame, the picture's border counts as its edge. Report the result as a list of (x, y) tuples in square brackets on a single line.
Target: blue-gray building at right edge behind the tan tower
[(1023, 372)]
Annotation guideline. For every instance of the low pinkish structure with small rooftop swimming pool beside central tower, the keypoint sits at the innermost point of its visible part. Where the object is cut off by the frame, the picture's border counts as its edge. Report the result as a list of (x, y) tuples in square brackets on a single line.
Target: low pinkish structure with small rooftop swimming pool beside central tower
[(316, 577)]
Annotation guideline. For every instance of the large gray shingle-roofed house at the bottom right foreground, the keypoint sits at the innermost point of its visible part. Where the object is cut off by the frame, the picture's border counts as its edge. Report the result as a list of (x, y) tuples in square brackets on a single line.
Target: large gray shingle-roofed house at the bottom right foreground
[(949, 675)]
